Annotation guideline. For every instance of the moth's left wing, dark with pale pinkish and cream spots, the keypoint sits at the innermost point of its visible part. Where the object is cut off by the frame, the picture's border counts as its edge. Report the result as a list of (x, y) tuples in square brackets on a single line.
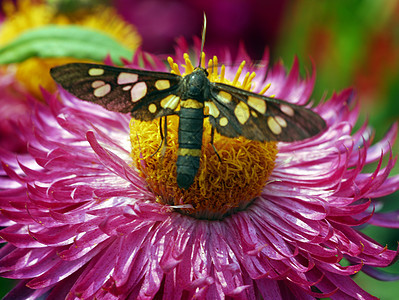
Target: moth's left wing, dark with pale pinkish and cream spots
[(121, 89)]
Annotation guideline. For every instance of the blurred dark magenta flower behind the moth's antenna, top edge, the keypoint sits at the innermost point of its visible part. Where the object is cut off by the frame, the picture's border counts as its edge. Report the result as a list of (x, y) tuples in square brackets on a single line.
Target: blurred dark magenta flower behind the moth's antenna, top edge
[(254, 22)]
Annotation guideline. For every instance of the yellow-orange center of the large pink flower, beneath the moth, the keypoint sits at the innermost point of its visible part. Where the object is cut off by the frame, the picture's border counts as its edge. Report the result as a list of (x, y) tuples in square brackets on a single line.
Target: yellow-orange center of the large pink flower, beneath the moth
[(221, 187)]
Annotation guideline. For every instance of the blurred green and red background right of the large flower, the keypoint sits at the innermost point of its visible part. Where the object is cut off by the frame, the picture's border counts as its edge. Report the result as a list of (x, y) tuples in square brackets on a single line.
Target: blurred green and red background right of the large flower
[(354, 43)]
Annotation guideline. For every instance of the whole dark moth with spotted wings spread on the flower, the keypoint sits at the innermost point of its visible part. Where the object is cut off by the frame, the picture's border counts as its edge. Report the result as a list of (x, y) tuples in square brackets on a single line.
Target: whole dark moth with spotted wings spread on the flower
[(148, 95)]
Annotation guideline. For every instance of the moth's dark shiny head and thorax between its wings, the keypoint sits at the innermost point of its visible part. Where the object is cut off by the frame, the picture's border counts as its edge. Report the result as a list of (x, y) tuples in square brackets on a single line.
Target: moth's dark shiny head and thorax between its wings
[(196, 85)]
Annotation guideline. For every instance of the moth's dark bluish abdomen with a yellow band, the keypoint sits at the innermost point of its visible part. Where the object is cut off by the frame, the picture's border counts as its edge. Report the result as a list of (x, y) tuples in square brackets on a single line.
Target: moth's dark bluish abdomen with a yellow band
[(191, 122)]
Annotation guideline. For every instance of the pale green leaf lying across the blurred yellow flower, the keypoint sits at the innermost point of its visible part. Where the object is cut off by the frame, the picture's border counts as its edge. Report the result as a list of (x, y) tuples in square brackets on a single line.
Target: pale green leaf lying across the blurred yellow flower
[(64, 41)]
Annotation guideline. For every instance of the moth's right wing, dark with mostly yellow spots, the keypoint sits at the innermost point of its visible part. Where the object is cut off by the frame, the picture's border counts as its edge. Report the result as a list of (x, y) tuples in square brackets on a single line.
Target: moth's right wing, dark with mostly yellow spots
[(236, 112)]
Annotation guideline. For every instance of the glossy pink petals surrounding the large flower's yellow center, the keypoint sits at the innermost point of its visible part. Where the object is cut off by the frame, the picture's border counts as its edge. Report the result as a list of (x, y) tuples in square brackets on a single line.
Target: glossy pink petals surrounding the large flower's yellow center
[(80, 222)]
